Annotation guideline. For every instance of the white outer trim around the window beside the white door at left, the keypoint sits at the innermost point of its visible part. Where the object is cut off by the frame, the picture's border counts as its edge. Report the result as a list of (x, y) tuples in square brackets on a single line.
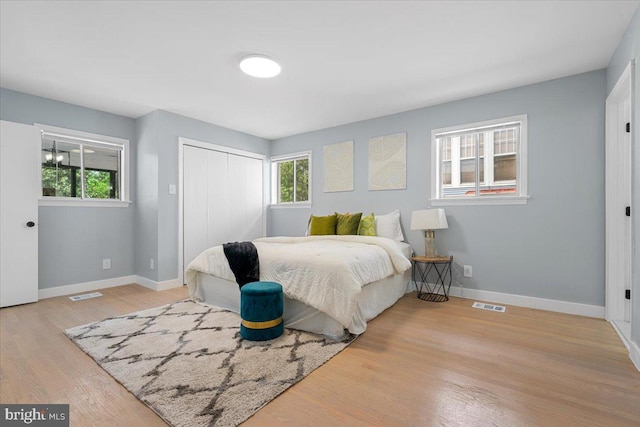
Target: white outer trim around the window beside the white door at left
[(99, 139)]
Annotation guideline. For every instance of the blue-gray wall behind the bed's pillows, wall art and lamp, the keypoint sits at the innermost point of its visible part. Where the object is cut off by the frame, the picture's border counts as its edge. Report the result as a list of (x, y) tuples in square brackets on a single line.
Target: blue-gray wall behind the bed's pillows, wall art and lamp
[(553, 247)]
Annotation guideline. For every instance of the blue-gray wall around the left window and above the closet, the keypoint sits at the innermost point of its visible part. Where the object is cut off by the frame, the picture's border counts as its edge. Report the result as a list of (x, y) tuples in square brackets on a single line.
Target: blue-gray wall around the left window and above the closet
[(74, 240)]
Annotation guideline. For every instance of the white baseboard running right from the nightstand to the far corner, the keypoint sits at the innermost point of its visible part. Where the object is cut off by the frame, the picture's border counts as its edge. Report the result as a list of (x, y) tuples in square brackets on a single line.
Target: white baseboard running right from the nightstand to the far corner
[(530, 302)]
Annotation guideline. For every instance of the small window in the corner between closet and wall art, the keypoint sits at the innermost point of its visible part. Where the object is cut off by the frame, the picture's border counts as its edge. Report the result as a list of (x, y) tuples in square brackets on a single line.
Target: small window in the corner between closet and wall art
[(291, 179)]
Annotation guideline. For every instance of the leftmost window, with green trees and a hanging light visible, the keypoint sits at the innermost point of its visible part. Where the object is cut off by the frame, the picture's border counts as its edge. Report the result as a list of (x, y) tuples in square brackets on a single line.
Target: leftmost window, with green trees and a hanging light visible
[(78, 168)]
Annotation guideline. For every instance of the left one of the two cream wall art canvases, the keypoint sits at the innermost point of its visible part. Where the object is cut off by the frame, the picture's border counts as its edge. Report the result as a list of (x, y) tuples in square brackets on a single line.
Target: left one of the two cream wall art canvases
[(338, 167)]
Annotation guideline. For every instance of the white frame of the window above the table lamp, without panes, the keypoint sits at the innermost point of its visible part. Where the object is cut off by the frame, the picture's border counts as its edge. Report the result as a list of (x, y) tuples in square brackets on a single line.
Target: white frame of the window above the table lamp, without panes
[(520, 198)]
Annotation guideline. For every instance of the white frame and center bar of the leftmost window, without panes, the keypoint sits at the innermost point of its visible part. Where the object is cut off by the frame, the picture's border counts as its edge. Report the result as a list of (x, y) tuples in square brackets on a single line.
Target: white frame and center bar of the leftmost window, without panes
[(91, 139)]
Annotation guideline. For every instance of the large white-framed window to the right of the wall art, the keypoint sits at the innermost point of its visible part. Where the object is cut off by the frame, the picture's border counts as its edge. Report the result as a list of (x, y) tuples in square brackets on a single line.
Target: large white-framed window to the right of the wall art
[(480, 163)]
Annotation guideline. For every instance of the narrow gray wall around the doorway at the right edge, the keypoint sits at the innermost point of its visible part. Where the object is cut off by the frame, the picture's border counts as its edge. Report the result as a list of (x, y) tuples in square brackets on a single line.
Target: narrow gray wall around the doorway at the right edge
[(629, 49)]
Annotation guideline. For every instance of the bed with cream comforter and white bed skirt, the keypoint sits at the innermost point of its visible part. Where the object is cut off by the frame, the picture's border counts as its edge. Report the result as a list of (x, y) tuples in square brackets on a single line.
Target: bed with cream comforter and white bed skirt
[(331, 284)]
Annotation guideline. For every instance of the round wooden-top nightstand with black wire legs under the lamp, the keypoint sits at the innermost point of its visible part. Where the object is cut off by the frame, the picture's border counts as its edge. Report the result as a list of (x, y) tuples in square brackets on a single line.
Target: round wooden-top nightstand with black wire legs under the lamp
[(422, 267)]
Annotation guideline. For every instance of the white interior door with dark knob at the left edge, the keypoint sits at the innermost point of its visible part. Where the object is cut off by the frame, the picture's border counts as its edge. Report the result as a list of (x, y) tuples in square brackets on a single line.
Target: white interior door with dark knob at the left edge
[(19, 191)]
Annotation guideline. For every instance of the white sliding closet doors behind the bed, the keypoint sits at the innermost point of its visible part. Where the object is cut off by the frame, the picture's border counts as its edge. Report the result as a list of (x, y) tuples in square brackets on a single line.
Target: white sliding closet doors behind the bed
[(223, 199)]
